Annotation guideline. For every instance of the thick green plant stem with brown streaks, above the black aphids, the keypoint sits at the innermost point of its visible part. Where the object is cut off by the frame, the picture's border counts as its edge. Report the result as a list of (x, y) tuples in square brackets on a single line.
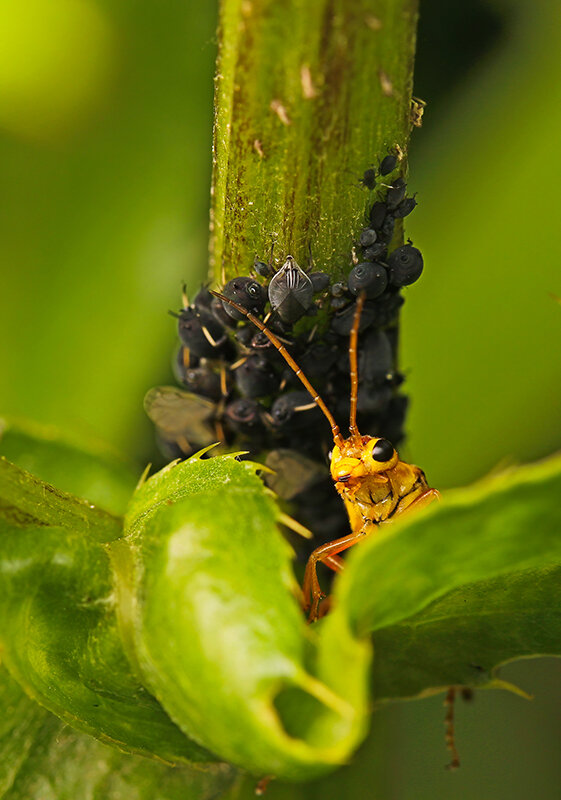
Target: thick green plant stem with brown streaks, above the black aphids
[(309, 93)]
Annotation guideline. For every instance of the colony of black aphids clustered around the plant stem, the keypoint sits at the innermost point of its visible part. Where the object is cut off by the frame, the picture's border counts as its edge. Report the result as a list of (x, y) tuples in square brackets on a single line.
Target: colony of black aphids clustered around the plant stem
[(238, 390)]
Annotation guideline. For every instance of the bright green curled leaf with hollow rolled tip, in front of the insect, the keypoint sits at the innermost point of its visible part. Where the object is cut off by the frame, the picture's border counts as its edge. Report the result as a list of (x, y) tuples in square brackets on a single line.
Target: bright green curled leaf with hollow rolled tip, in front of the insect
[(209, 603)]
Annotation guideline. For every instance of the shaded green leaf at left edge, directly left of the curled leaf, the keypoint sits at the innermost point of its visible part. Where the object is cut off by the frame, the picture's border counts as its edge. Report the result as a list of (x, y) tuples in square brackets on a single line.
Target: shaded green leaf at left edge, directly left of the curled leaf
[(59, 634)]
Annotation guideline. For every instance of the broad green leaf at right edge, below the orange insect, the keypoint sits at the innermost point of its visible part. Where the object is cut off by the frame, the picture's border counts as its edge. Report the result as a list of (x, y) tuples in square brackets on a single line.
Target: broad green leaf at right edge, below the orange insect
[(460, 588)]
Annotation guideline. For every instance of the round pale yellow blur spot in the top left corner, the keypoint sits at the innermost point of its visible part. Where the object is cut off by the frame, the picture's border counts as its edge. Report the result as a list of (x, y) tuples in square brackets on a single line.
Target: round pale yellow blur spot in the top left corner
[(56, 62)]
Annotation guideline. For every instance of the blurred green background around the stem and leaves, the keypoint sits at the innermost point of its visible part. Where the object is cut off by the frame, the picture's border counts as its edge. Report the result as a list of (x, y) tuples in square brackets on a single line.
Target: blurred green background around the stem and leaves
[(105, 135)]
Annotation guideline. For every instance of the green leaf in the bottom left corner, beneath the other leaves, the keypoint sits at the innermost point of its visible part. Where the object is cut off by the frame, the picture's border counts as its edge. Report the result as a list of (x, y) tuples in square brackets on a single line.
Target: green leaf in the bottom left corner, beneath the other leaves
[(43, 759)]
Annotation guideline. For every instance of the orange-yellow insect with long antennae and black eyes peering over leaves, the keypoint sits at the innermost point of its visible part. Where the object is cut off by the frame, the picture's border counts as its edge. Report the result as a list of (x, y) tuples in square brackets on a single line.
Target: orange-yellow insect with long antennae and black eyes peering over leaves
[(376, 486)]
